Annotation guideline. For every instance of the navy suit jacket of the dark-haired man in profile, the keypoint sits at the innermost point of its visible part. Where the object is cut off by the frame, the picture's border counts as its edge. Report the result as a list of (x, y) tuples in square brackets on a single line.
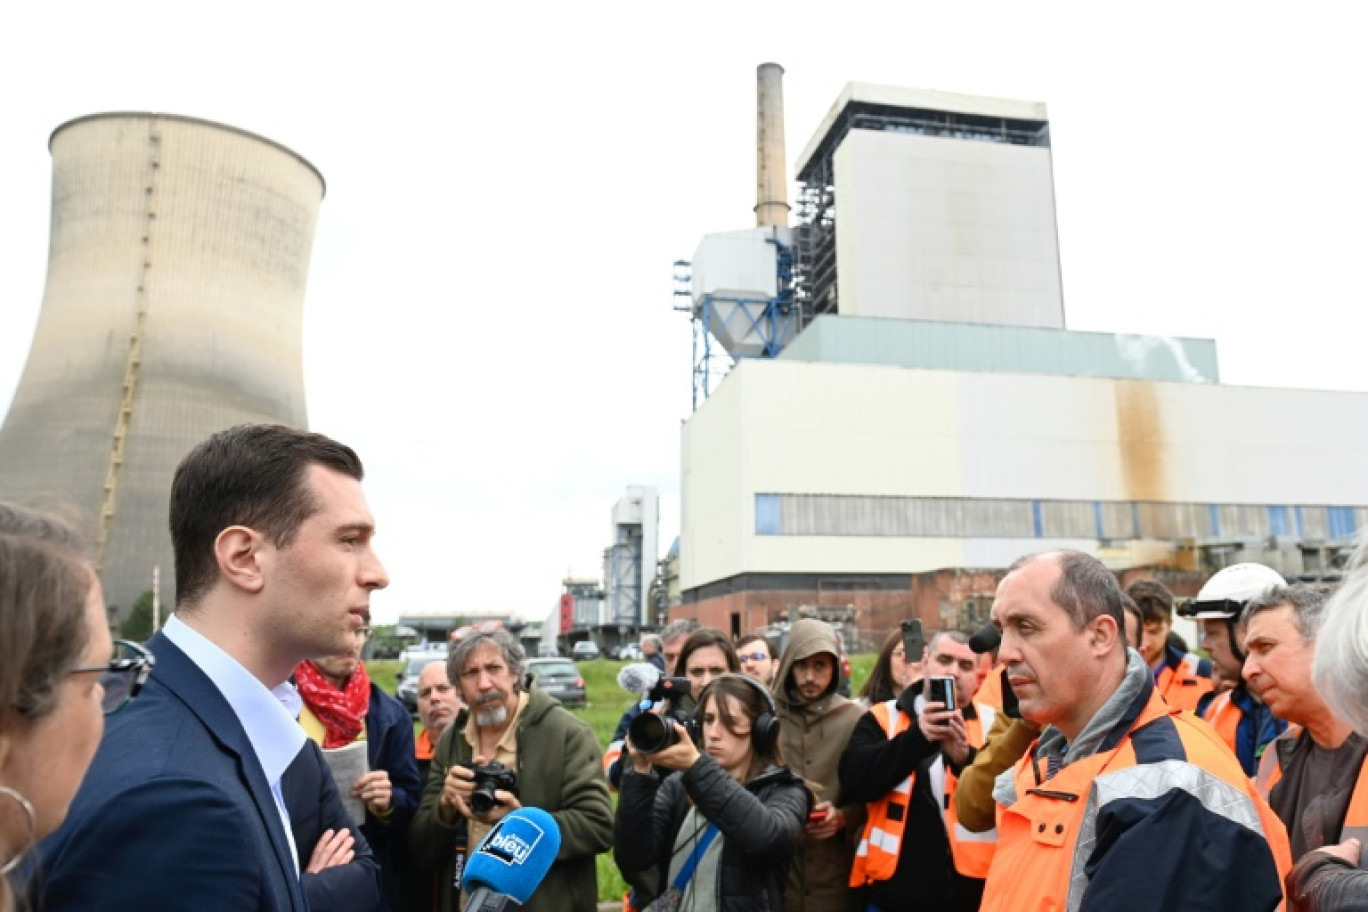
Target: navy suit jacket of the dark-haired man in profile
[(174, 814)]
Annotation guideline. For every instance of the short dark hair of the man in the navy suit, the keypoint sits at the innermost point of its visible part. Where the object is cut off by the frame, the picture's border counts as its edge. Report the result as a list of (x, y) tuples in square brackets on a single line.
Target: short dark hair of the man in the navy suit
[(254, 475)]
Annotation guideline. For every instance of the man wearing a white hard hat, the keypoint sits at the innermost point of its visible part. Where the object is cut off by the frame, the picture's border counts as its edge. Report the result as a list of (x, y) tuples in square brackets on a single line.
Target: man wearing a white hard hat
[(1240, 719)]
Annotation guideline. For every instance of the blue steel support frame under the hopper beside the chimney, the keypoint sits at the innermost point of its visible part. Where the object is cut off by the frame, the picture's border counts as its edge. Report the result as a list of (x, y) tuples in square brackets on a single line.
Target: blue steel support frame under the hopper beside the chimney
[(774, 321)]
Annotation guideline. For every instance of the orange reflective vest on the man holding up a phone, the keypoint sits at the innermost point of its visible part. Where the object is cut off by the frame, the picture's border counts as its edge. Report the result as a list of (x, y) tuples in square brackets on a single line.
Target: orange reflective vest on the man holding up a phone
[(876, 858)]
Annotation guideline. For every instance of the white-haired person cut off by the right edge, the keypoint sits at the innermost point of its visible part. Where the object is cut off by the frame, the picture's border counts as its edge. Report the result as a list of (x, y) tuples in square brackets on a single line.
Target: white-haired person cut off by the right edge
[(1330, 880)]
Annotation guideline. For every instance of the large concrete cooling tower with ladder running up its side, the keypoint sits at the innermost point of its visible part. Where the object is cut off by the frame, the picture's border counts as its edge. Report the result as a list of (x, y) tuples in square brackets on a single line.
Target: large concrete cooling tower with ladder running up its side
[(173, 308)]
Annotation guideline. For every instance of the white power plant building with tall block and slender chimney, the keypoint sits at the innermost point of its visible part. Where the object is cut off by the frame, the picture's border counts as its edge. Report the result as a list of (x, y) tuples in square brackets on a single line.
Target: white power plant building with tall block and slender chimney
[(909, 414)]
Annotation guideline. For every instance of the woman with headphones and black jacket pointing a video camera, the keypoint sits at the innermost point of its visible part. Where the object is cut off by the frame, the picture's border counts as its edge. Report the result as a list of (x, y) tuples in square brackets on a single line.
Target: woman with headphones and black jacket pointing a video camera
[(719, 833)]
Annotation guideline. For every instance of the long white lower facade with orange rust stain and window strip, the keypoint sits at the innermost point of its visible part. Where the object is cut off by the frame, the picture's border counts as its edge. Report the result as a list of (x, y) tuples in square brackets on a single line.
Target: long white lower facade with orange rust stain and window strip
[(845, 468)]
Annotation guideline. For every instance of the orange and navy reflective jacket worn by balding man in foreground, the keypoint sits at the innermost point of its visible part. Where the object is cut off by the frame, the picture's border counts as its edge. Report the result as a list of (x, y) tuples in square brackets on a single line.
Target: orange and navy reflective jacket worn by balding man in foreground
[(1049, 851)]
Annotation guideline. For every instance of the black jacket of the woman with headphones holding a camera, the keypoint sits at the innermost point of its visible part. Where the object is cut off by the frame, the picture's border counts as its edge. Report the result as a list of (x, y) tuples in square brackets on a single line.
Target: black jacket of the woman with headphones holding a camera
[(760, 825)]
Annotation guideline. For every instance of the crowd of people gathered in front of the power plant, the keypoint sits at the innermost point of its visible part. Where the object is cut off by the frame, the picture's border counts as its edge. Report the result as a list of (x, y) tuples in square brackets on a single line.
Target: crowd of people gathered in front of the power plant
[(1070, 755)]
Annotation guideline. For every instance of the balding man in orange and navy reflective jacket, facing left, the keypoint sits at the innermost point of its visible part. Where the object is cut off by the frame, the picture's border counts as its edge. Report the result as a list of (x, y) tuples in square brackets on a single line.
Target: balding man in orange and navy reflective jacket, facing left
[(1124, 802)]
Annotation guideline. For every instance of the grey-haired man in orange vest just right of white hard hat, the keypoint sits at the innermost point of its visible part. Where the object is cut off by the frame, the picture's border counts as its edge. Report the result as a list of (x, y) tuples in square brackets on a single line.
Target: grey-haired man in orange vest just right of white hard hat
[(1314, 775)]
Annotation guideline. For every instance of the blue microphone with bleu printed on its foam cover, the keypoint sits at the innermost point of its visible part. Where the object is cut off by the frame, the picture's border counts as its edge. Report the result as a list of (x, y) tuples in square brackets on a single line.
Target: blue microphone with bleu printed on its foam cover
[(511, 862)]
